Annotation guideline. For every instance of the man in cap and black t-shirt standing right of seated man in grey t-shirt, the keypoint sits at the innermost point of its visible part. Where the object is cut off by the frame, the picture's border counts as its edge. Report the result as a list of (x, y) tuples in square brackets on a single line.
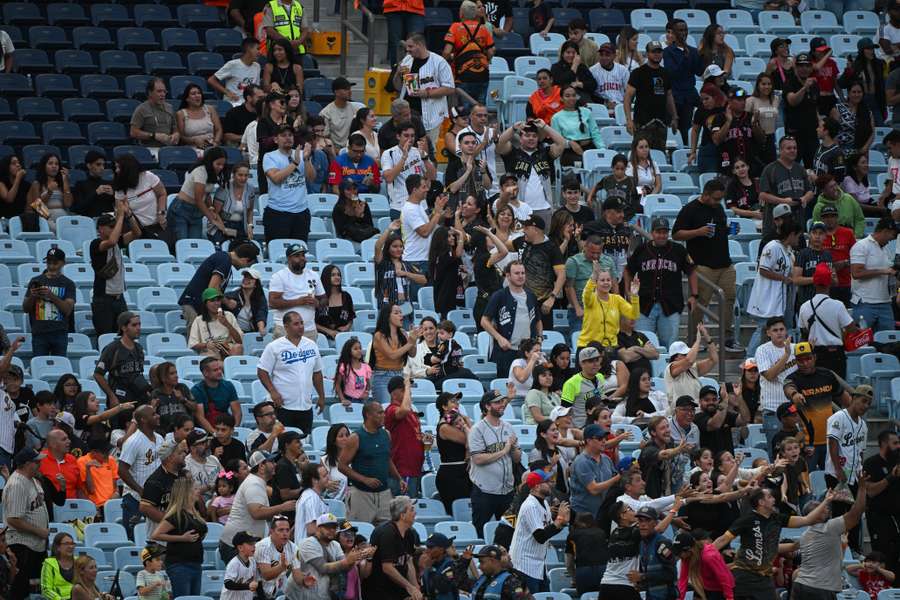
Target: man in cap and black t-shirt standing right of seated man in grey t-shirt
[(650, 88)]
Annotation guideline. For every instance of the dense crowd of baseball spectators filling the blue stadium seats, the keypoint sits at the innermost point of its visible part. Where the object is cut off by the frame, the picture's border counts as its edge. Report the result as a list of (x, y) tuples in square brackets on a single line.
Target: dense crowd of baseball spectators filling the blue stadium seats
[(623, 447)]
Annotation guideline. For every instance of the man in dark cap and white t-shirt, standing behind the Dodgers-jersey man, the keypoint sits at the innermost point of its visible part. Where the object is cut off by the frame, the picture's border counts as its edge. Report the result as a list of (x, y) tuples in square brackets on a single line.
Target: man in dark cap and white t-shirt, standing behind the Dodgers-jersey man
[(296, 288)]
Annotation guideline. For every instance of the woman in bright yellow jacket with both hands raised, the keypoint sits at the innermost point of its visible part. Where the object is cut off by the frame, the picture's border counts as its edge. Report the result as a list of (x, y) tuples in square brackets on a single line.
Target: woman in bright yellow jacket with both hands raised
[(603, 309)]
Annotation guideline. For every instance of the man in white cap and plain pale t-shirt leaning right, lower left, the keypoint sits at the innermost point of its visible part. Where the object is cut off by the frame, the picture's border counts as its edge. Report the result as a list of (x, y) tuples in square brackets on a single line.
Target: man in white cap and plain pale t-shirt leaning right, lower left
[(251, 509)]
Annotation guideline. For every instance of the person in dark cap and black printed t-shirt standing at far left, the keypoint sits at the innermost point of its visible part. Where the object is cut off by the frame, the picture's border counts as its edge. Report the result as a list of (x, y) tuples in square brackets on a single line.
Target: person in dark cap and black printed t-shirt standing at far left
[(49, 302)]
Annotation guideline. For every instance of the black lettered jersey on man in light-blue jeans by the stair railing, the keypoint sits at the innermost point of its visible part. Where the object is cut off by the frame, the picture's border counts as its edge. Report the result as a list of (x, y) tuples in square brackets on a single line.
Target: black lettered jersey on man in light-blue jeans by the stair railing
[(660, 269)]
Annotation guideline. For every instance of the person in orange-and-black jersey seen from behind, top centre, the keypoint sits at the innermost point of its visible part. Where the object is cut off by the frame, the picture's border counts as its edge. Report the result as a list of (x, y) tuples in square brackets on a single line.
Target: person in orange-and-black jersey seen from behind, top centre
[(470, 46)]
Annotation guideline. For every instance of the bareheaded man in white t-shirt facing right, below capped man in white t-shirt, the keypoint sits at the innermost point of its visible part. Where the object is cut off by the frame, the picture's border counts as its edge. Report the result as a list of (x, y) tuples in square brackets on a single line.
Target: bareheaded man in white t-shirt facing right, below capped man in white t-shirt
[(416, 226)]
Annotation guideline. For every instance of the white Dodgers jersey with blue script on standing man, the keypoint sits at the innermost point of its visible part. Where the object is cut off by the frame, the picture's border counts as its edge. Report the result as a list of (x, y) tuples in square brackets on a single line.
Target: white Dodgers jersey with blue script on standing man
[(291, 369)]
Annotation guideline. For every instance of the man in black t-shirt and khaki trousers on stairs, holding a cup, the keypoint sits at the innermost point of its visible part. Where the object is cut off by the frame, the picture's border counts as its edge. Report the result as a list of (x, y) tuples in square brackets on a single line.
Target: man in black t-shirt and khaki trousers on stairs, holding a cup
[(702, 224)]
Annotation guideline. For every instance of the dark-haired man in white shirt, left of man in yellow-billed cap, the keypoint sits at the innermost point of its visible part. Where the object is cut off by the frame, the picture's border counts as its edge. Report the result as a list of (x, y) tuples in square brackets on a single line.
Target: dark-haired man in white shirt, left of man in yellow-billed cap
[(775, 360)]
